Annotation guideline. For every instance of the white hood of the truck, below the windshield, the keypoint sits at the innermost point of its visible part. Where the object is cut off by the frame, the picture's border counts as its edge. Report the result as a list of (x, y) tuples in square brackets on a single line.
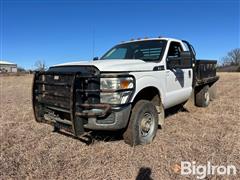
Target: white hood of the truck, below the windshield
[(116, 65)]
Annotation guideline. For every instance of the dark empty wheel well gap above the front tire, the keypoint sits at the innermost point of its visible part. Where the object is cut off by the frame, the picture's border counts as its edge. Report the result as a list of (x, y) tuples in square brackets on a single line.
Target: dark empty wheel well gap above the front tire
[(149, 93)]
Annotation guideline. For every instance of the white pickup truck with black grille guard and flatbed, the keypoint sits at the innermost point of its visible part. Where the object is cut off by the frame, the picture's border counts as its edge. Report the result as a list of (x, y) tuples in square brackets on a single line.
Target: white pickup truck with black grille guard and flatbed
[(128, 88)]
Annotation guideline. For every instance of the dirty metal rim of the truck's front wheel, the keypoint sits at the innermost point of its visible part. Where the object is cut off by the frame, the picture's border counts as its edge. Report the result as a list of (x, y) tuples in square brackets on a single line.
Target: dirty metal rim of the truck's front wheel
[(147, 125)]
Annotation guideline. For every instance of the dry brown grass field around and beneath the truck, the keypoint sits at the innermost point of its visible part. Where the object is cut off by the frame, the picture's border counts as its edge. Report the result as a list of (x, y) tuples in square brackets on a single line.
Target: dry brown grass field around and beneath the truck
[(33, 151)]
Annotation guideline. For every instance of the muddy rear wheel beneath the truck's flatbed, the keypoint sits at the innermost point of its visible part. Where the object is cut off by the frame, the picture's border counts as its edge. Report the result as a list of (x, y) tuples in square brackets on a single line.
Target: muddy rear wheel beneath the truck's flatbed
[(203, 97)]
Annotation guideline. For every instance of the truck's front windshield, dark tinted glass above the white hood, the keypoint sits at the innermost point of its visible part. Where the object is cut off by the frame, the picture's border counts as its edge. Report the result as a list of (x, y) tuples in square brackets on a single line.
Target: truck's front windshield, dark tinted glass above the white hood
[(150, 50)]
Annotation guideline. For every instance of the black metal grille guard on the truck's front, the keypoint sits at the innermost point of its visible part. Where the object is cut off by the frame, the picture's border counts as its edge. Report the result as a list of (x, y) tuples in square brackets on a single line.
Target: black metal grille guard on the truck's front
[(76, 94)]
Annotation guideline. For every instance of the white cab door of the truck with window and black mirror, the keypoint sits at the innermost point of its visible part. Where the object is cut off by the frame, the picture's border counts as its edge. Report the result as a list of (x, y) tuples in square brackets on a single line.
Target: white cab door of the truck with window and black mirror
[(178, 75)]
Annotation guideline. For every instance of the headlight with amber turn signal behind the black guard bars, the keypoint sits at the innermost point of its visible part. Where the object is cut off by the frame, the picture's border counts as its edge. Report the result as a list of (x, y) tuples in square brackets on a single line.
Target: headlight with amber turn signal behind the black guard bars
[(125, 85)]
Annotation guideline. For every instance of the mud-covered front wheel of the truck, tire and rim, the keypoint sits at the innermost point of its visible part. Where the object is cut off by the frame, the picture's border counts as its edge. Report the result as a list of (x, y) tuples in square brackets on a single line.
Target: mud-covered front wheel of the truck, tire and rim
[(143, 124)]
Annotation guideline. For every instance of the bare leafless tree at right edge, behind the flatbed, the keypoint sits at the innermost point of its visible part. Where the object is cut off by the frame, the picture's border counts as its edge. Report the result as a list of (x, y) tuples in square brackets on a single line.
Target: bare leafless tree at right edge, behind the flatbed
[(232, 58)]
